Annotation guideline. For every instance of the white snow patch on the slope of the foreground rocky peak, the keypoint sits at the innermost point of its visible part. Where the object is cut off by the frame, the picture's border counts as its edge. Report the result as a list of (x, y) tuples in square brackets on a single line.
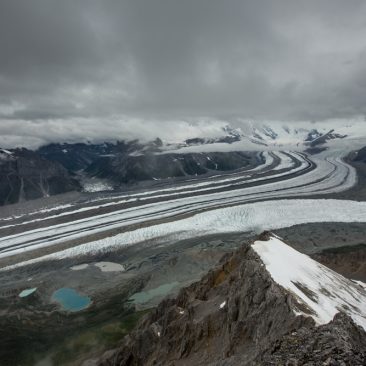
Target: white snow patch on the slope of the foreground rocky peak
[(320, 292)]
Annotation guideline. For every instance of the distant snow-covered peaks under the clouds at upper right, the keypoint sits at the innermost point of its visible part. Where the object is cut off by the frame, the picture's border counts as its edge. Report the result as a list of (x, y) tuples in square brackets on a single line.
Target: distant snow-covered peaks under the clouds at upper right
[(273, 135)]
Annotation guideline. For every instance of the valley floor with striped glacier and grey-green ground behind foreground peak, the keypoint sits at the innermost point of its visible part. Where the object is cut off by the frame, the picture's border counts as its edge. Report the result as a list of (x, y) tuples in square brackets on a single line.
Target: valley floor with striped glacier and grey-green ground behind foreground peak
[(156, 240)]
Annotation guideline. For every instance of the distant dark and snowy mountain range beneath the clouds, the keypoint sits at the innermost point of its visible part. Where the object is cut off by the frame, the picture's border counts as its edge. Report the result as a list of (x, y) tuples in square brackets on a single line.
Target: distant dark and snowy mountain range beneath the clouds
[(63, 167)]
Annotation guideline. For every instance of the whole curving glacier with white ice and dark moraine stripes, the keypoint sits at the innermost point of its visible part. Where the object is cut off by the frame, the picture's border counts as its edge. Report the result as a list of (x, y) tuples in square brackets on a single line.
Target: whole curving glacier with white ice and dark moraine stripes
[(214, 204)]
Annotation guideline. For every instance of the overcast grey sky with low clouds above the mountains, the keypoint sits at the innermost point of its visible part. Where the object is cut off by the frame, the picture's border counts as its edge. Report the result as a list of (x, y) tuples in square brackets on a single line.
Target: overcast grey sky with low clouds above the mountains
[(97, 68)]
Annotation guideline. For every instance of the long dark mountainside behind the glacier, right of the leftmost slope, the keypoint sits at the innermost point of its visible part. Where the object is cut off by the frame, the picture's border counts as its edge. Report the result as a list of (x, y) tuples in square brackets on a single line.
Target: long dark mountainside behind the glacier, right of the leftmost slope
[(130, 162)]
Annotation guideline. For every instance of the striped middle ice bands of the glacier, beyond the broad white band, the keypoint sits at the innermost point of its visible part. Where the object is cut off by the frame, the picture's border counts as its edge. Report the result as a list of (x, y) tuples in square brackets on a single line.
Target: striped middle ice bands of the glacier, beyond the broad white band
[(327, 176)]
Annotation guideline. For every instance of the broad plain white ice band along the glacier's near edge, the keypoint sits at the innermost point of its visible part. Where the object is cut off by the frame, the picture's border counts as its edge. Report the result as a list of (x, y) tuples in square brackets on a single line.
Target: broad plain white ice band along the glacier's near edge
[(265, 215)]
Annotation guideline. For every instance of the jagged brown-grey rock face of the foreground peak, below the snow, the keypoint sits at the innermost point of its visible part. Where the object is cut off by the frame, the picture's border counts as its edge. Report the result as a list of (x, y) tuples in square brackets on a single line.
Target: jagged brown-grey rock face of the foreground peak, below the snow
[(237, 315)]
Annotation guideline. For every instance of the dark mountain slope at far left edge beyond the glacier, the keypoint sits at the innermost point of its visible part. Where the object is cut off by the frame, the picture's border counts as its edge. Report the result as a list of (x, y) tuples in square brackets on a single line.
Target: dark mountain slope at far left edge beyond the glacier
[(24, 175)]
